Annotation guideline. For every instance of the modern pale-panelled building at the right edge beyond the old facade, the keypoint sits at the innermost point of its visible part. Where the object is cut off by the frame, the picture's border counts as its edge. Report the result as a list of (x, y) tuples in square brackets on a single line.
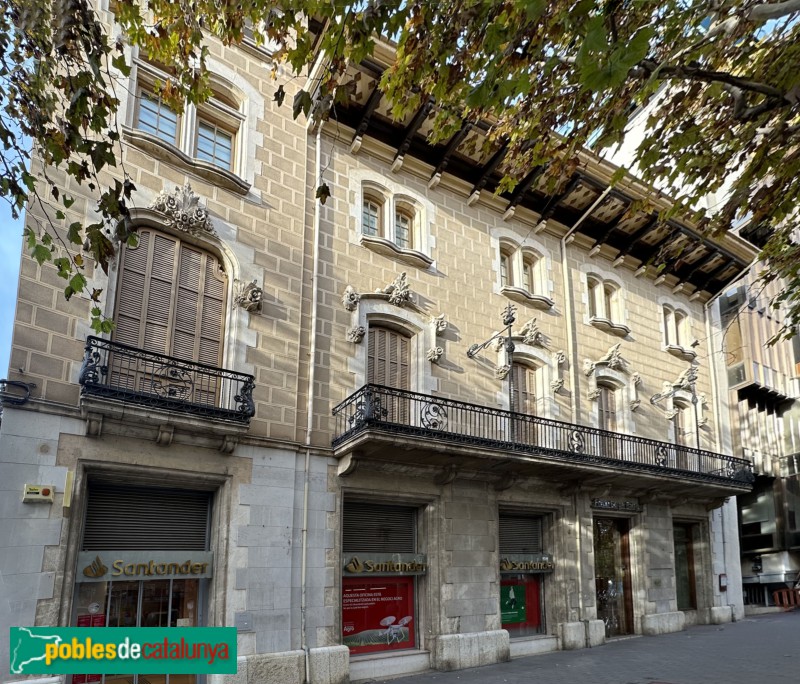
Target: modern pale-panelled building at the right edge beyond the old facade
[(762, 401)]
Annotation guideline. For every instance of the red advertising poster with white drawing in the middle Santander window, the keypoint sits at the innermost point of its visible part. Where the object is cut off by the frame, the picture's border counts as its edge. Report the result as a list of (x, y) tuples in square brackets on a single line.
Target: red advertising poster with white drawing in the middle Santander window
[(378, 614)]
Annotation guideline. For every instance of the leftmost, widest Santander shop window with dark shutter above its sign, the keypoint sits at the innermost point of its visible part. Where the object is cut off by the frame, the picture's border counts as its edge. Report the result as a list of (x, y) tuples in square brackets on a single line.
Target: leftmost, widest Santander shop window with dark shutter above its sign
[(144, 562)]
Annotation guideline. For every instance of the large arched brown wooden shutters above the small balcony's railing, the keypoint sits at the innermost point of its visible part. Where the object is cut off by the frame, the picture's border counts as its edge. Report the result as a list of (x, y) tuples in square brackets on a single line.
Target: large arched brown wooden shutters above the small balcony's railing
[(171, 299)]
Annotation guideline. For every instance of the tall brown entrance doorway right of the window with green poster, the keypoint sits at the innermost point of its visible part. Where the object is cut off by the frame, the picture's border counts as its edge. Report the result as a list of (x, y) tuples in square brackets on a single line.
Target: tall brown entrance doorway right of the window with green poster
[(612, 575)]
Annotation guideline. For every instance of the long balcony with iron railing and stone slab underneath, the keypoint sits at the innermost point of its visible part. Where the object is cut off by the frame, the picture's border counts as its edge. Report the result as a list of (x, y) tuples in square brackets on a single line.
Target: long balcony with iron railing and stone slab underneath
[(436, 433)]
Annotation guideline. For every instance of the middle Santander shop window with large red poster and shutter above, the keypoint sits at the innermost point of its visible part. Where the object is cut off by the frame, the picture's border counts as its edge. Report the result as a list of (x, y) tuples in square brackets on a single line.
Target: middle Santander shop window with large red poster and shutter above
[(379, 602)]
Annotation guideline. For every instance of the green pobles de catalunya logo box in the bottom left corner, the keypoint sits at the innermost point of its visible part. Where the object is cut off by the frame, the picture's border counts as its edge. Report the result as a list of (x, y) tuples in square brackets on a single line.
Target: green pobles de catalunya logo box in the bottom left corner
[(111, 650)]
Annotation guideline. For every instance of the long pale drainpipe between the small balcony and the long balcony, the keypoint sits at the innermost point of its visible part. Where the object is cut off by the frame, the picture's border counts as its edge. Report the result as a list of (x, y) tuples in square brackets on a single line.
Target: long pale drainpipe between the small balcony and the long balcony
[(310, 410)]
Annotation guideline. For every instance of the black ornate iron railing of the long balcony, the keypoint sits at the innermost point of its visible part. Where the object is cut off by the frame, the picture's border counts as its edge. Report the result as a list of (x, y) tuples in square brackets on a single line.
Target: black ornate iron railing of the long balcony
[(374, 407)]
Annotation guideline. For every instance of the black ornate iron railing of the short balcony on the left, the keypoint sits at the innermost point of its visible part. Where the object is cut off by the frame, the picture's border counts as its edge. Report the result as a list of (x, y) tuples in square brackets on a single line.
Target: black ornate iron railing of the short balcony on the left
[(119, 371)]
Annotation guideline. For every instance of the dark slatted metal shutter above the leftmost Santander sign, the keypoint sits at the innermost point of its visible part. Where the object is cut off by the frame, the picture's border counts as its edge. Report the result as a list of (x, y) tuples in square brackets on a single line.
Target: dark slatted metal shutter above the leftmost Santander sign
[(129, 518)]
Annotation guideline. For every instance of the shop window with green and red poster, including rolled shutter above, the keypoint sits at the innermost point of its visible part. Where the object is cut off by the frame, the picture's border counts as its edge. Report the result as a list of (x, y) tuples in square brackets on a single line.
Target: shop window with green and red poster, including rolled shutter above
[(521, 593)]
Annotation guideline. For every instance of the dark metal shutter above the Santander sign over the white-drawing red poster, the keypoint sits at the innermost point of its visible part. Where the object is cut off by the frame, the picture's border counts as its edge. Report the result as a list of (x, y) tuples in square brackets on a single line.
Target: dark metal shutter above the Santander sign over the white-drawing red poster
[(376, 528)]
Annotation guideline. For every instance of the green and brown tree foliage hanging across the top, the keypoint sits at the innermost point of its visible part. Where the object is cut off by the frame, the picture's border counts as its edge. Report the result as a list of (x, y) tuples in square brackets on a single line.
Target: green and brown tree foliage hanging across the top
[(719, 81)]
